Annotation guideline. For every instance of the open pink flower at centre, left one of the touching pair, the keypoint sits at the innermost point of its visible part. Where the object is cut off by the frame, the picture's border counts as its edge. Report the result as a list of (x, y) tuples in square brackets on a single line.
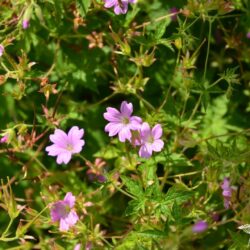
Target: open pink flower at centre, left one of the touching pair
[(121, 122)]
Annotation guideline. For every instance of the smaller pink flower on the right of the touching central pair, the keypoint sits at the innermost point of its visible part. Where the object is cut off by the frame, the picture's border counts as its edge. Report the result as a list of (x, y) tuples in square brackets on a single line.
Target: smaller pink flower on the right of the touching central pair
[(150, 140)]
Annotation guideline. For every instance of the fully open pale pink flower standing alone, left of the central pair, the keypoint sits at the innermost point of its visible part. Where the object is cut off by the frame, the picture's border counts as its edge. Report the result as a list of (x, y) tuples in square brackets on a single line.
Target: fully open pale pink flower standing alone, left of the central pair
[(65, 145)]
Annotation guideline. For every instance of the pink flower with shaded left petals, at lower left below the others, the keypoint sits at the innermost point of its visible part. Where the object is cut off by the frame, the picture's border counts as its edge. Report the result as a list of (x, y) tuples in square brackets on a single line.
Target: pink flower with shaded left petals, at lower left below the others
[(63, 212)]
